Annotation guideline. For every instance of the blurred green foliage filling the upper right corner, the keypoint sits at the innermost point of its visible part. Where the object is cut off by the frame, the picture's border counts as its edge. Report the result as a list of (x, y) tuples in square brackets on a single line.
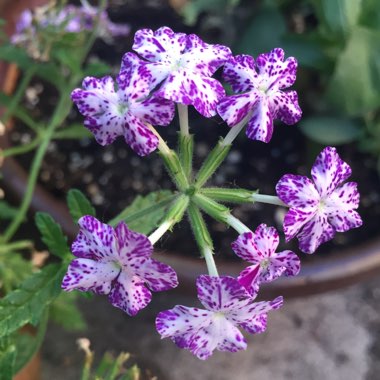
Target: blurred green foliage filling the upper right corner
[(337, 45)]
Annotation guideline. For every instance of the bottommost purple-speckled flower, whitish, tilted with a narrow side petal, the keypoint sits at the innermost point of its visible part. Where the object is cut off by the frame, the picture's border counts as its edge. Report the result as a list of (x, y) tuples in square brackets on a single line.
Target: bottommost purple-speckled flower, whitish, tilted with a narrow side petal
[(228, 306)]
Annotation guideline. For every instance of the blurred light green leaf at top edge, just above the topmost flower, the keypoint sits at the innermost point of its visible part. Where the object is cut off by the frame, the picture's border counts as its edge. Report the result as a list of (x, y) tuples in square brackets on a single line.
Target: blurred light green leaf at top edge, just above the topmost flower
[(194, 8)]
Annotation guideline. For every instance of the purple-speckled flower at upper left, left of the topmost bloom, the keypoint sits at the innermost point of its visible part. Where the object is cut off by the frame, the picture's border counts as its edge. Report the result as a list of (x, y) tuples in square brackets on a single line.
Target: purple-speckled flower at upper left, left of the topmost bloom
[(124, 111)]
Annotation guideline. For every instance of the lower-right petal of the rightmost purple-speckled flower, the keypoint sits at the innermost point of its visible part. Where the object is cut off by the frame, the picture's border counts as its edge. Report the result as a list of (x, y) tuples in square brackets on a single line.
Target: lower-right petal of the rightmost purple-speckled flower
[(340, 207)]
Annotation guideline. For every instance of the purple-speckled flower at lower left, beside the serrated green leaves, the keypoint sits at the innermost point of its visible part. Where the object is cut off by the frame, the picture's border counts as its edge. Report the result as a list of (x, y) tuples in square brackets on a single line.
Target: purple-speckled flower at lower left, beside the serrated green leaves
[(116, 262)]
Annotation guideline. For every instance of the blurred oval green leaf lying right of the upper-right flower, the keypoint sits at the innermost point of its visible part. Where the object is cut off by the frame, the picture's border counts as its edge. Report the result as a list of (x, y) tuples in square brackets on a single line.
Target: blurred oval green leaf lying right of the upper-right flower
[(331, 130)]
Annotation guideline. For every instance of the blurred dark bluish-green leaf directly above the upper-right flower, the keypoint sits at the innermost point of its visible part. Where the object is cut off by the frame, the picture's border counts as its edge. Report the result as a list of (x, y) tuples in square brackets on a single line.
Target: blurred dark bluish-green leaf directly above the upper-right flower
[(263, 33)]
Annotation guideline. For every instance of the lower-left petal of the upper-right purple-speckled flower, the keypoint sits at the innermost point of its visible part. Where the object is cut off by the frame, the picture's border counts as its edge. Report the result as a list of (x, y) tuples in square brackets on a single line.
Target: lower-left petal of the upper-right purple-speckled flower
[(233, 109)]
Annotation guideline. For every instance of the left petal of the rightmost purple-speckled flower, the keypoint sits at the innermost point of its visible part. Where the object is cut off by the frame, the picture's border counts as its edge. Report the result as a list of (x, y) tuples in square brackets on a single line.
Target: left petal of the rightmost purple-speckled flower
[(297, 191)]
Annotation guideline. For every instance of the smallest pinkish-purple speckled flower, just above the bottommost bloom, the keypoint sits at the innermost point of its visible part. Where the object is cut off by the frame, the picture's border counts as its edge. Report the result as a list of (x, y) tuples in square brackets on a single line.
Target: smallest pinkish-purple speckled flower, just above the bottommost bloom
[(259, 248)]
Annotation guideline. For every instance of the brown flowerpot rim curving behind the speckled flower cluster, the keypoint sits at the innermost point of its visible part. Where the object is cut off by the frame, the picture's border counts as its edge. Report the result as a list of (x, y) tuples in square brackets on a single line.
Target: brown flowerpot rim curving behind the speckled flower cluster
[(318, 275)]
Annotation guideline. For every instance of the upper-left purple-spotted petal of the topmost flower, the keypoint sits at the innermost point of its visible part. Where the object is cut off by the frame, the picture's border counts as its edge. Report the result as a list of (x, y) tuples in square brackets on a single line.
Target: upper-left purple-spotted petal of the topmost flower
[(159, 46)]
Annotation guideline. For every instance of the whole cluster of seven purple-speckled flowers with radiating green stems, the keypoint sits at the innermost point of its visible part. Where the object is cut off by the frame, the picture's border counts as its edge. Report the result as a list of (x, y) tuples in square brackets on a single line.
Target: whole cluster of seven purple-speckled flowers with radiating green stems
[(170, 68)]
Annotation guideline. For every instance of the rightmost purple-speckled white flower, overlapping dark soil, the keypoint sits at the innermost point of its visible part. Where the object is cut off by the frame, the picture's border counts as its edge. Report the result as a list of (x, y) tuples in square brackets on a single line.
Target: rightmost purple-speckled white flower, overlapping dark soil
[(318, 210)]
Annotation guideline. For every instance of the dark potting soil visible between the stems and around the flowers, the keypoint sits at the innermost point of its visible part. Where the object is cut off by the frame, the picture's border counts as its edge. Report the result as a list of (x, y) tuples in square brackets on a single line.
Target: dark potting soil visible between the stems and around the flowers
[(113, 176)]
